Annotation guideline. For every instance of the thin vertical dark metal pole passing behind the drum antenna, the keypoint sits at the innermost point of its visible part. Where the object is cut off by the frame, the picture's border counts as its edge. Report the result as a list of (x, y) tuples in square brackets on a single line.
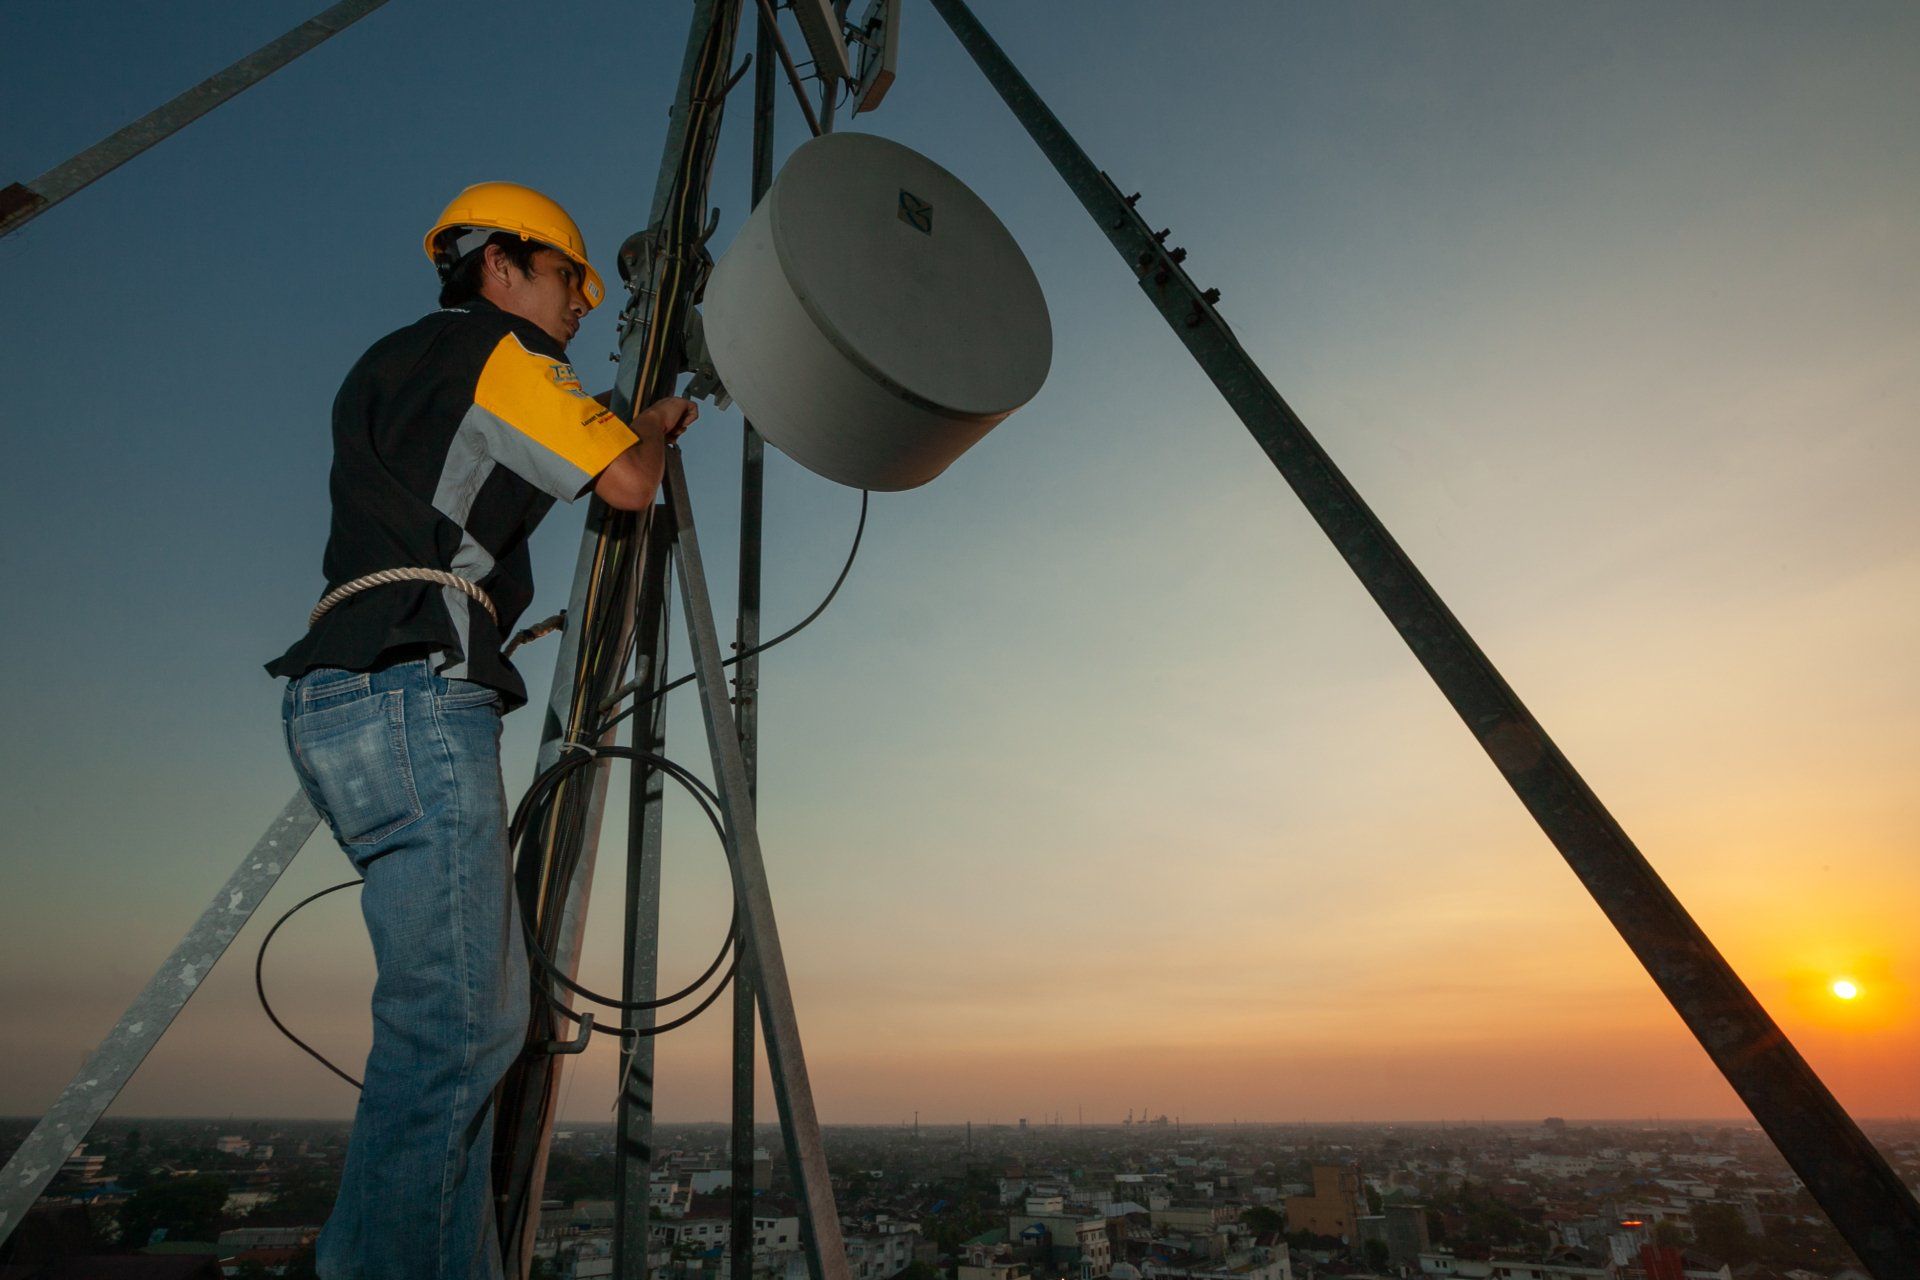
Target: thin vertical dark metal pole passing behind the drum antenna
[(748, 692)]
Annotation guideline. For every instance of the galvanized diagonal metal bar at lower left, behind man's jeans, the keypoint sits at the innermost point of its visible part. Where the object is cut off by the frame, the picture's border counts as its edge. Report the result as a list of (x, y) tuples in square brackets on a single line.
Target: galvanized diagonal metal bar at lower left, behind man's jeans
[(112, 1064)]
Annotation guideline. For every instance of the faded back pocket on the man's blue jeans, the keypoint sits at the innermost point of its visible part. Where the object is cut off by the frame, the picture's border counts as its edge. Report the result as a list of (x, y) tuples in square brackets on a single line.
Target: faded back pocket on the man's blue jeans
[(356, 755)]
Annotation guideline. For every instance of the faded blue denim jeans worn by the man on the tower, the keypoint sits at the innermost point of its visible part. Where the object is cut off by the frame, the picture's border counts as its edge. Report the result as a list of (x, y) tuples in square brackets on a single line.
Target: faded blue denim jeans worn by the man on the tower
[(404, 765)]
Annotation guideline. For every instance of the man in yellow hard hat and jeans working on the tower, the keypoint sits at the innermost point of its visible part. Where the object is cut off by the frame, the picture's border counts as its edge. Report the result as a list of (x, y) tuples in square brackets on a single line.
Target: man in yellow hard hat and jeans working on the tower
[(452, 440)]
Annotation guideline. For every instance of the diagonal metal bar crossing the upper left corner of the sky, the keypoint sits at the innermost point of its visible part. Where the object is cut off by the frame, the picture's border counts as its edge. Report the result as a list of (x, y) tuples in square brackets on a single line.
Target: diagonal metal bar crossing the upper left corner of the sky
[(22, 202)]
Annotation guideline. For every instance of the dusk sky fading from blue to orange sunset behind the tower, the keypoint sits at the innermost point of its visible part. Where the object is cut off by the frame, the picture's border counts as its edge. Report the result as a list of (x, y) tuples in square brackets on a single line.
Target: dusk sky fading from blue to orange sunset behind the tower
[(1103, 788)]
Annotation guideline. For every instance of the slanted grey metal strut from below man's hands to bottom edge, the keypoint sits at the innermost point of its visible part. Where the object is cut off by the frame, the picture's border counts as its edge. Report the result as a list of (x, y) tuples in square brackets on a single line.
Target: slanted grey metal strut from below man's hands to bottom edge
[(759, 934)]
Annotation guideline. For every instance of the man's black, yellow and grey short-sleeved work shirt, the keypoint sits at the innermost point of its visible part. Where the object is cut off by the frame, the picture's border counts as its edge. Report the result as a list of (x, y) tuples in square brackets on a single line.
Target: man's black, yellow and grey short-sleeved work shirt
[(452, 440)]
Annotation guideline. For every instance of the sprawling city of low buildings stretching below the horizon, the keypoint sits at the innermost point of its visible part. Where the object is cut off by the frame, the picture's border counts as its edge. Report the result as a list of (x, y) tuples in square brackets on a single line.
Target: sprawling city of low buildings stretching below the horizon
[(1550, 1200)]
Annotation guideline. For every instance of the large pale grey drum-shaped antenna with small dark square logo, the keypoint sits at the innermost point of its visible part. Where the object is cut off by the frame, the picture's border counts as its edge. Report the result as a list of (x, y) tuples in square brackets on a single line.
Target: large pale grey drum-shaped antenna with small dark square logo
[(875, 320)]
